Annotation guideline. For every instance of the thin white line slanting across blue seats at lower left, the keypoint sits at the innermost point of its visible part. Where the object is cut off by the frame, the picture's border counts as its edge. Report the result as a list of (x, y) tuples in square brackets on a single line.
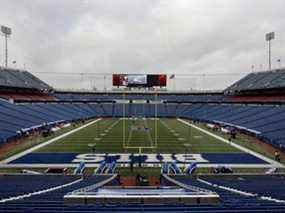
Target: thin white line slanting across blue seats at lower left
[(19, 197)]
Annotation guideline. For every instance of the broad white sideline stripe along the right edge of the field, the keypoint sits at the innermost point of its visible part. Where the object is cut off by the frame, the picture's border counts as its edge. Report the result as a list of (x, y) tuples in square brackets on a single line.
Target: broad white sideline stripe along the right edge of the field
[(270, 161)]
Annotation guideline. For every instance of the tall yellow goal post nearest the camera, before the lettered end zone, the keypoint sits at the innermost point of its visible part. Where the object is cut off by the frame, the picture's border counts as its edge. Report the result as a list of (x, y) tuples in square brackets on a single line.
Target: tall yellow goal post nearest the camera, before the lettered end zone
[(140, 124)]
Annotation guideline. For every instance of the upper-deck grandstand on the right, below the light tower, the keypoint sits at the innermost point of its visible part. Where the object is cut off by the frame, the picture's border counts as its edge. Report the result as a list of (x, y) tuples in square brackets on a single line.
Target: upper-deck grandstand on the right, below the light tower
[(265, 80)]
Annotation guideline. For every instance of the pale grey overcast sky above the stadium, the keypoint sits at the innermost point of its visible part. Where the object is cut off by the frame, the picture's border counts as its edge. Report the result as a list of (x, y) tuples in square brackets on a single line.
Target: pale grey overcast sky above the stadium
[(207, 43)]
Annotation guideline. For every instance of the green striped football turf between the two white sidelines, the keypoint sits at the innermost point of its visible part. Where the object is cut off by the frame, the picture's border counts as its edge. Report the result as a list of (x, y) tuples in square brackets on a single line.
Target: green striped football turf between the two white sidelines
[(112, 135)]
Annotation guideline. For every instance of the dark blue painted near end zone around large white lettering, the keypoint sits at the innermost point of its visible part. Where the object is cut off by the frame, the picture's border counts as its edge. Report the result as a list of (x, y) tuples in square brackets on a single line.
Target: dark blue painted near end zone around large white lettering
[(66, 158)]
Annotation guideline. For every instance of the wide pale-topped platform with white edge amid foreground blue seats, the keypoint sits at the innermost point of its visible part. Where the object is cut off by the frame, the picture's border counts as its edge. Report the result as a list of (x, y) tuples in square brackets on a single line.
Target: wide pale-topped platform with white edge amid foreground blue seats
[(143, 195)]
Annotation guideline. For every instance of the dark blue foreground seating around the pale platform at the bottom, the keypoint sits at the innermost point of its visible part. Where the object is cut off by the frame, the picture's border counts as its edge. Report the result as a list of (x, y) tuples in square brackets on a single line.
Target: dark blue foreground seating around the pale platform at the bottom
[(231, 201)]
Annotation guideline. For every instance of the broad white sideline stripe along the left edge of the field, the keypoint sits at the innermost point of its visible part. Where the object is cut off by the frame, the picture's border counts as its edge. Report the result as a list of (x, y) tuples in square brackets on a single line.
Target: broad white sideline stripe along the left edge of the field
[(21, 154)]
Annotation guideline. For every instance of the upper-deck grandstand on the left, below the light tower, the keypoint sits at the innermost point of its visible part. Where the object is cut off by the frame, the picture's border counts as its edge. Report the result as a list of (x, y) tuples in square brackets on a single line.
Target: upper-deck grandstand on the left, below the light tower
[(11, 78)]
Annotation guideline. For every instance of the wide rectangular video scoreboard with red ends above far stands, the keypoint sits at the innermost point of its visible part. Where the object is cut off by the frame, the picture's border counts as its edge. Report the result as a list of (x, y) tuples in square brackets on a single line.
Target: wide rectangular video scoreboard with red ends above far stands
[(139, 80)]
